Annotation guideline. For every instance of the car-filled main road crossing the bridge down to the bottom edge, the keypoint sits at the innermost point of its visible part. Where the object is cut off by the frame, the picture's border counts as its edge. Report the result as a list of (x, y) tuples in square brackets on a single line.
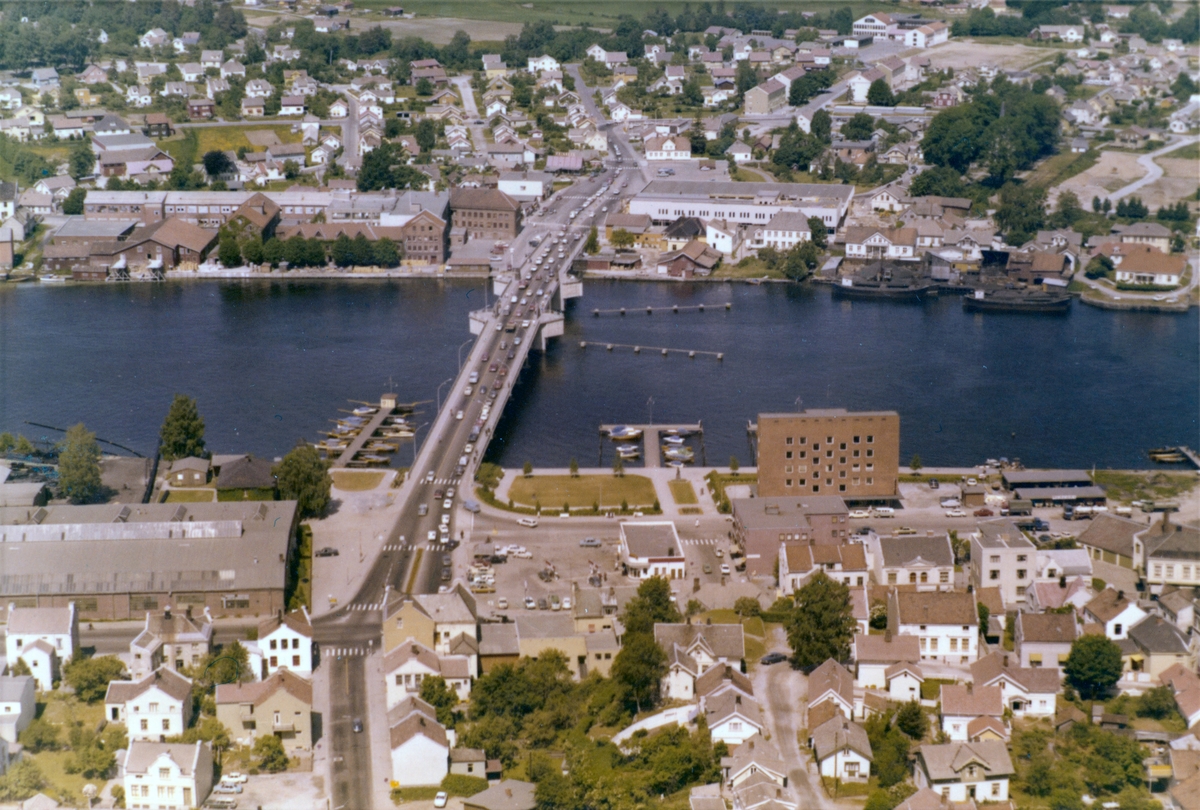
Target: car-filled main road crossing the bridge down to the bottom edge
[(356, 629)]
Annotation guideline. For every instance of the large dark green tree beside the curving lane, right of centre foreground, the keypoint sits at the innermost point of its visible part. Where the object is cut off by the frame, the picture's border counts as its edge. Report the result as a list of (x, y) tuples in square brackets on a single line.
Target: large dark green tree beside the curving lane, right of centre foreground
[(823, 623)]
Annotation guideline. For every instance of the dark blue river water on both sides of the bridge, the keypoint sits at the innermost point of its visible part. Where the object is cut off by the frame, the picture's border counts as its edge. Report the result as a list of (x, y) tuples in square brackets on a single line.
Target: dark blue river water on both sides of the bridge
[(272, 363)]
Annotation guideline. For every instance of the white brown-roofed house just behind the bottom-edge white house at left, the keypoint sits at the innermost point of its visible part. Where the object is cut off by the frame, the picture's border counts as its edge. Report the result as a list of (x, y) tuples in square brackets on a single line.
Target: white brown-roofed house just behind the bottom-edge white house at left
[(155, 707)]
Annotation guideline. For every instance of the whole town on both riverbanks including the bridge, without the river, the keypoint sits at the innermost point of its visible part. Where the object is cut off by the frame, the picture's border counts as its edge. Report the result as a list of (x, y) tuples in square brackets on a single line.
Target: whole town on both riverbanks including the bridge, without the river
[(825, 627)]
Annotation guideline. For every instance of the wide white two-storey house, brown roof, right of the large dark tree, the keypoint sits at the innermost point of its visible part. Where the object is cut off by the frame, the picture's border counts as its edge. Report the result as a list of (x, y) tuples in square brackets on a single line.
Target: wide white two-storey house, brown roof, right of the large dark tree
[(946, 625)]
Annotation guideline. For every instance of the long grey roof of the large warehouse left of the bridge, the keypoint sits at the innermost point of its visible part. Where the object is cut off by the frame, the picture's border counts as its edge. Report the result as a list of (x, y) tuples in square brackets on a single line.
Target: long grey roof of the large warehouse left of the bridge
[(212, 547)]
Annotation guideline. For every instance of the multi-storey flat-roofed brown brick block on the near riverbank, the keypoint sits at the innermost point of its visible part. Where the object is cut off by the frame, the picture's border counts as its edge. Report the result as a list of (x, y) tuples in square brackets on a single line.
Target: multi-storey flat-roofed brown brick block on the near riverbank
[(830, 452)]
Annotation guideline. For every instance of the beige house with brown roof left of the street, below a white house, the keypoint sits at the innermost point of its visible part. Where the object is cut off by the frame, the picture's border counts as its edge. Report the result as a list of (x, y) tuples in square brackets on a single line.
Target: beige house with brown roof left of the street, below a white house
[(280, 706)]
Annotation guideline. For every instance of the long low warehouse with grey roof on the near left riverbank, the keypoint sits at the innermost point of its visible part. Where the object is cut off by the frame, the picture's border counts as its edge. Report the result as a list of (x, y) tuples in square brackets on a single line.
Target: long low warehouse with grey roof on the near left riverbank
[(119, 561)]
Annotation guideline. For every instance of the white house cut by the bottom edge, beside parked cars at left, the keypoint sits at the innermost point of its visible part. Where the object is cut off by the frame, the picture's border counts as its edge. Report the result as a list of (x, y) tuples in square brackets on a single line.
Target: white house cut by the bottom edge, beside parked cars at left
[(167, 776)]
